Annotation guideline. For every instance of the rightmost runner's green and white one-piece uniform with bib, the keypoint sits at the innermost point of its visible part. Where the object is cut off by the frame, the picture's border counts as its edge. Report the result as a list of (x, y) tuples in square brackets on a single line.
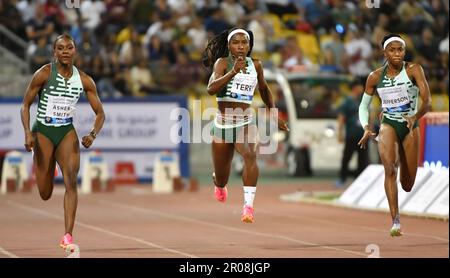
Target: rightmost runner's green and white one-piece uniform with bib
[(399, 97)]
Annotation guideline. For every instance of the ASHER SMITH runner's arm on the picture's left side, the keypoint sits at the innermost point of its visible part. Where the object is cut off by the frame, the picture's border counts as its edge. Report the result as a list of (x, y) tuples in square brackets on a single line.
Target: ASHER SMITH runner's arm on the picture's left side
[(37, 82)]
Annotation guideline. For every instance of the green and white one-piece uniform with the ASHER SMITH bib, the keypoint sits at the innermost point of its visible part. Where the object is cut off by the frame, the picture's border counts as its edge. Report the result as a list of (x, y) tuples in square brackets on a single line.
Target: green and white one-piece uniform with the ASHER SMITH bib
[(56, 107)]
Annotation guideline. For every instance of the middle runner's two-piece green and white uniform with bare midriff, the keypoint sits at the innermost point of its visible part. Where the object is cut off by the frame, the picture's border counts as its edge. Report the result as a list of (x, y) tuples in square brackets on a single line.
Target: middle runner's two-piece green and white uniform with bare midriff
[(240, 89)]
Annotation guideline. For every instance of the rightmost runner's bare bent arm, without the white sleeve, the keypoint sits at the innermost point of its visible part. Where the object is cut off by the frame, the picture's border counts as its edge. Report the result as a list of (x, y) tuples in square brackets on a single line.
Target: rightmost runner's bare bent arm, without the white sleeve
[(418, 75)]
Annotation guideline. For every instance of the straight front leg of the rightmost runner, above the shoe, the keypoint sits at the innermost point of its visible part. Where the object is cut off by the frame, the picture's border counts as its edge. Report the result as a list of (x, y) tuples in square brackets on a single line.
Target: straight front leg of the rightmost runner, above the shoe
[(388, 149)]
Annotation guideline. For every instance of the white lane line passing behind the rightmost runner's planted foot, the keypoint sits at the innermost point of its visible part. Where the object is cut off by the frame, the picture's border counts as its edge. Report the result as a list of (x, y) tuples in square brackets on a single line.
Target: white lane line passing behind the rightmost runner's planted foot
[(386, 231)]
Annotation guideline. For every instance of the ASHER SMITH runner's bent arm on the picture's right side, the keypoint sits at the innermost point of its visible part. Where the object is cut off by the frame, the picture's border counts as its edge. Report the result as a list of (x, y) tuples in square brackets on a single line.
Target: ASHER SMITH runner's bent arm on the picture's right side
[(97, 107)]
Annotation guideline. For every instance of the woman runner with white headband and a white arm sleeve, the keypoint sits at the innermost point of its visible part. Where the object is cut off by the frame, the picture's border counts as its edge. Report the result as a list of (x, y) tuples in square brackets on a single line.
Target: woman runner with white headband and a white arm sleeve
[(399, 85)]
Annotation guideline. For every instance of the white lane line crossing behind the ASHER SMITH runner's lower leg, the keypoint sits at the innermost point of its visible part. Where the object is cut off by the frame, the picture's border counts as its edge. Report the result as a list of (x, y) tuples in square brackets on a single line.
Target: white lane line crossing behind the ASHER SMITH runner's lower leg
[(101, 230)]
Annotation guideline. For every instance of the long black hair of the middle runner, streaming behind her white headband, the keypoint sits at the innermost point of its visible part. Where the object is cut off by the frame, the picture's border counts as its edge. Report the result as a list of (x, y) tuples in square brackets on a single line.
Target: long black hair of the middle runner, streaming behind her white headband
[(218, 47)]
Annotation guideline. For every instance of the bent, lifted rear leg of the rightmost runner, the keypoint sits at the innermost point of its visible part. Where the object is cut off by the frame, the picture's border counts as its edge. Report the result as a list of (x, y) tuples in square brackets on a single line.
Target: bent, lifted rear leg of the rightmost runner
[(409, 159)]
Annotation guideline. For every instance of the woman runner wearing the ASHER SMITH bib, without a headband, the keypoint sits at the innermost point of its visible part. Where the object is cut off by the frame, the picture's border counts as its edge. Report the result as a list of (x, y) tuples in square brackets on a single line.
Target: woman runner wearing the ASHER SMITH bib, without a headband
[(53, 138)]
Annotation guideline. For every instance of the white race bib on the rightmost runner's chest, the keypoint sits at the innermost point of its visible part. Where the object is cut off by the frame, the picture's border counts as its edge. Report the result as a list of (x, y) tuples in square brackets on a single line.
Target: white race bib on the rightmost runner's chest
[(394, 99)]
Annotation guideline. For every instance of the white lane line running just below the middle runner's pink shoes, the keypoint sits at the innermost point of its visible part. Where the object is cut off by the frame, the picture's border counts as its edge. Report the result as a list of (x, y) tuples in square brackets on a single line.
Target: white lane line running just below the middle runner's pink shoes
[(224, 227)]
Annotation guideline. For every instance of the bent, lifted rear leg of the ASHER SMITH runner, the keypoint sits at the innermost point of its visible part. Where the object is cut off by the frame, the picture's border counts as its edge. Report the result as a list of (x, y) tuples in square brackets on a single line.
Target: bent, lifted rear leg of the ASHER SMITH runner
[(44, 164)]
